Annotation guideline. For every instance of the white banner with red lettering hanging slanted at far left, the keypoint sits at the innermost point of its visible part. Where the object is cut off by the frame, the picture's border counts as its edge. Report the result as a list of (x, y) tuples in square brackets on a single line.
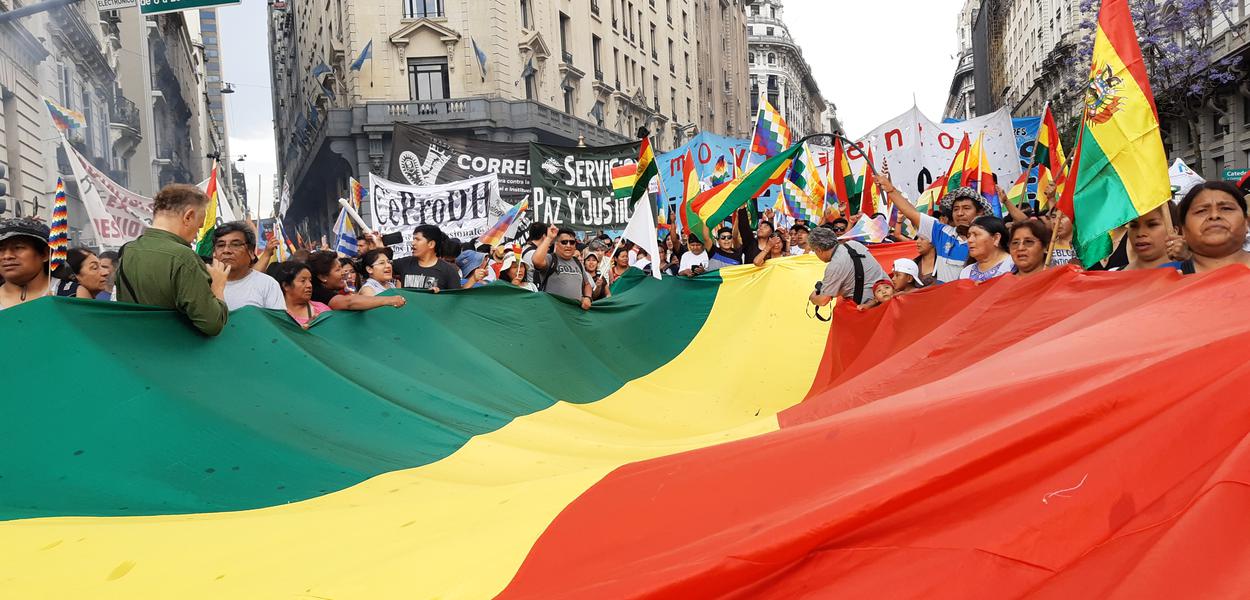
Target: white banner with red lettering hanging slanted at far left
[(118, 214)]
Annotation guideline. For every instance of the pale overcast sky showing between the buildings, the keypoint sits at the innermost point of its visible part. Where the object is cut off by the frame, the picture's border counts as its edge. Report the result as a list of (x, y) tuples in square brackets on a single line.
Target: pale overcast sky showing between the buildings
[(871, 59)]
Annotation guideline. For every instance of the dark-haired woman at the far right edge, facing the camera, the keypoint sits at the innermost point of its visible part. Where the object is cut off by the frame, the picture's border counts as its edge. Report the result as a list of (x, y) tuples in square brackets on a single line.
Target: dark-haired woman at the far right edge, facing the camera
[(1213, 219)]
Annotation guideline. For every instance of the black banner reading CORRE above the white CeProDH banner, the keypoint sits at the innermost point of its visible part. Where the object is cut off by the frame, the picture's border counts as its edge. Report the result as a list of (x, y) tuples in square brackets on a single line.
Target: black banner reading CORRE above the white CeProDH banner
[(424, 158)]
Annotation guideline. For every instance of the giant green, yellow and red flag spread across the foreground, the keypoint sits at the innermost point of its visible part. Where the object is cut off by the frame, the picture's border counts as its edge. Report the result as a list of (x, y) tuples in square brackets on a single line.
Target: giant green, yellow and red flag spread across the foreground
[(499, 443)]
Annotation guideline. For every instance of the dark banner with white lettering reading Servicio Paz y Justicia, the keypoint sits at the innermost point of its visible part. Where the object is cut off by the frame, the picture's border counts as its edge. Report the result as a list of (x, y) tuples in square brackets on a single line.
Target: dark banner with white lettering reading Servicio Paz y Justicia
[(573, 187)]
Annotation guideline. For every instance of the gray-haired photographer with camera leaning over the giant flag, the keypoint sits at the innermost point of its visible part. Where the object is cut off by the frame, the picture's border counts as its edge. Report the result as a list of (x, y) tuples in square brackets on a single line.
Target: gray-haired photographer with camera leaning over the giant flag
[(852, 269)]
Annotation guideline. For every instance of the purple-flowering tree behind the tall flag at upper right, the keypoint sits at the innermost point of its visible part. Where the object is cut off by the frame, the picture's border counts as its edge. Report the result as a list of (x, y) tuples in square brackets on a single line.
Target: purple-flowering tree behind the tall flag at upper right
[(1178, 46)]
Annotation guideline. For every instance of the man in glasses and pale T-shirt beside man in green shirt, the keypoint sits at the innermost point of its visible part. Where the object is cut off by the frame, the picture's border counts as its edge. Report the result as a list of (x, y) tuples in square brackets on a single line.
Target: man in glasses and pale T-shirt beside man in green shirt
[(234, 244)]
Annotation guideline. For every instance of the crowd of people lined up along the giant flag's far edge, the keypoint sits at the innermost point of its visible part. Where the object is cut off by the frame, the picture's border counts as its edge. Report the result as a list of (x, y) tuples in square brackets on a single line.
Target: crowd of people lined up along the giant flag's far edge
[(961, 241)]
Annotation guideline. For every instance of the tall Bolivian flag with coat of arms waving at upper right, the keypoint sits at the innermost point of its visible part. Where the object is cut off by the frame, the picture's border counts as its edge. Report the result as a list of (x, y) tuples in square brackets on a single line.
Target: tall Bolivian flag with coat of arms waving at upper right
[(1119, 171)]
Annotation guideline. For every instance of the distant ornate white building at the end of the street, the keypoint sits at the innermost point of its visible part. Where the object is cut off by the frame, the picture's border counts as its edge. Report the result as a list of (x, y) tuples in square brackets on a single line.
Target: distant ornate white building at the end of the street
[(781, 72)]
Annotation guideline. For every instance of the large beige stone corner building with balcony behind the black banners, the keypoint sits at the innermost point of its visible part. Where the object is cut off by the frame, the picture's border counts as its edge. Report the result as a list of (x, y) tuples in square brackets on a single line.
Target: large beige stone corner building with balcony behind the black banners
[(506, 71)]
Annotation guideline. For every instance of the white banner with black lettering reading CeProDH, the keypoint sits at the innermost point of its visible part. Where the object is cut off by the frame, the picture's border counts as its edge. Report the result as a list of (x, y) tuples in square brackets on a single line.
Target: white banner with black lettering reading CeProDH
[(461, 209)]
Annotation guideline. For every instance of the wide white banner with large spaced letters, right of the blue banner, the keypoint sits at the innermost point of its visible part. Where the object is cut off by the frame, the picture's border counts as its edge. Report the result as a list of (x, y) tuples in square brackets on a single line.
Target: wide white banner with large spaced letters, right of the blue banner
[(917, 151)]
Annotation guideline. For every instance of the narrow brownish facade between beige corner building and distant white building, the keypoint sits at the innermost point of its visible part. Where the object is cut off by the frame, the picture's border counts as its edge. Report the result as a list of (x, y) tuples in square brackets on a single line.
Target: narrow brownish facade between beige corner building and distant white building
[(723, 78)]
